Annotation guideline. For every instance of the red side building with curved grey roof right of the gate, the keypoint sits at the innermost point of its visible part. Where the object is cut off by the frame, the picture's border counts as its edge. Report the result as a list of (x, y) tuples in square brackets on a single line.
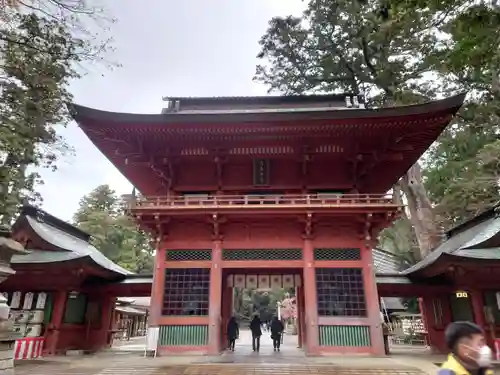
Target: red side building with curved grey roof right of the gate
[(457, 281)]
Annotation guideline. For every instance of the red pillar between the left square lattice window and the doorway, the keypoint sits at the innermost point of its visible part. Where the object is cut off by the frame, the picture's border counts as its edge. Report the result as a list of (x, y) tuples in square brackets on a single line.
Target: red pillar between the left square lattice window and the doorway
[(214, 321)]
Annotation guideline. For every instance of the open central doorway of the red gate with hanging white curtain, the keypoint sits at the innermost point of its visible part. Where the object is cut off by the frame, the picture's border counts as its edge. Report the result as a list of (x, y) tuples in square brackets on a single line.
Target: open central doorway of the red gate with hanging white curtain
[(267, 293)]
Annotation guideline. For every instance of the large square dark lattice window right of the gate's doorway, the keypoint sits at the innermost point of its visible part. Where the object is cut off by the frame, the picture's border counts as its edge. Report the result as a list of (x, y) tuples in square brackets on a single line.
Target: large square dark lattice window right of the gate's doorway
[(340, 292)]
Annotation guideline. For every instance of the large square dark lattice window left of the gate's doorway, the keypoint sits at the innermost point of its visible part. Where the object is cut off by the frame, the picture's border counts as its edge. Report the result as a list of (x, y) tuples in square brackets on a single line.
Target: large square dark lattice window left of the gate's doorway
[(186, 291)]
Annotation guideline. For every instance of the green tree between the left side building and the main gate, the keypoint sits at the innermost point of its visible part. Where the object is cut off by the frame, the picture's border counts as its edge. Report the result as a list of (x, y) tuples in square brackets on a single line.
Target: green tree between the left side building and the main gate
[(116, 235)]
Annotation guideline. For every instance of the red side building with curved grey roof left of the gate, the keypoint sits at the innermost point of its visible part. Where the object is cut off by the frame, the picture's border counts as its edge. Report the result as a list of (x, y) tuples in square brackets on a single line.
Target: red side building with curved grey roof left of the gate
[(63, 292)]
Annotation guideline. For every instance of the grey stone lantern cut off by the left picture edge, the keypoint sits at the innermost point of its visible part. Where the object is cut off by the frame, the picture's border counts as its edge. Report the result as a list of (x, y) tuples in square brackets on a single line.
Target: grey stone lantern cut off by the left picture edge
[(8, 248)]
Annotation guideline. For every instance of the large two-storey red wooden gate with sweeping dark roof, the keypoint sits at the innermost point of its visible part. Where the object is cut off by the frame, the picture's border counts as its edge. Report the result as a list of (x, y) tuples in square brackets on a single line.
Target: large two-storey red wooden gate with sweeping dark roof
[(267, 191)]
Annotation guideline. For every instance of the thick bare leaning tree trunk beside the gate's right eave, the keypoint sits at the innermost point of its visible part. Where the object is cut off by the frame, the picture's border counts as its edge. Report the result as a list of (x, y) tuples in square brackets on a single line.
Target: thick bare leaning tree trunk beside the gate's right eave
[(428, 233)]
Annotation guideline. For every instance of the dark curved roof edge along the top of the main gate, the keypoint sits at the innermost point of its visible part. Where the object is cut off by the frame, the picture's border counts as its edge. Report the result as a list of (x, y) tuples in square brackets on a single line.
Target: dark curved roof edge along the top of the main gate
[(84, 114)]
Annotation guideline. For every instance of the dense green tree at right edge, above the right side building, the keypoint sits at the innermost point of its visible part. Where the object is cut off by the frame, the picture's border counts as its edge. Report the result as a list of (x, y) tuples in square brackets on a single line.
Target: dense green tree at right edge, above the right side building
[(462, 172)]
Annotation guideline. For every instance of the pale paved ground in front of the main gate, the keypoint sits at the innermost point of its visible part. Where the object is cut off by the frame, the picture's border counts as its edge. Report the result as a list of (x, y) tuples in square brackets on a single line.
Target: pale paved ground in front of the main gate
[(290, 361)]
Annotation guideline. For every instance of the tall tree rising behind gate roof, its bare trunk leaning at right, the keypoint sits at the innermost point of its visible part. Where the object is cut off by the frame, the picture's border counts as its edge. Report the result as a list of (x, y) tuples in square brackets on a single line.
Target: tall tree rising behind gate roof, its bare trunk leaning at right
[(359, 47)]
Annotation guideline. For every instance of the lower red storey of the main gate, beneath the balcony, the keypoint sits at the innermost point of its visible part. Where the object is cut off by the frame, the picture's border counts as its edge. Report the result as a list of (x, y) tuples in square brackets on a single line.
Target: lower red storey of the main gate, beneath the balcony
[(336, 280)]
